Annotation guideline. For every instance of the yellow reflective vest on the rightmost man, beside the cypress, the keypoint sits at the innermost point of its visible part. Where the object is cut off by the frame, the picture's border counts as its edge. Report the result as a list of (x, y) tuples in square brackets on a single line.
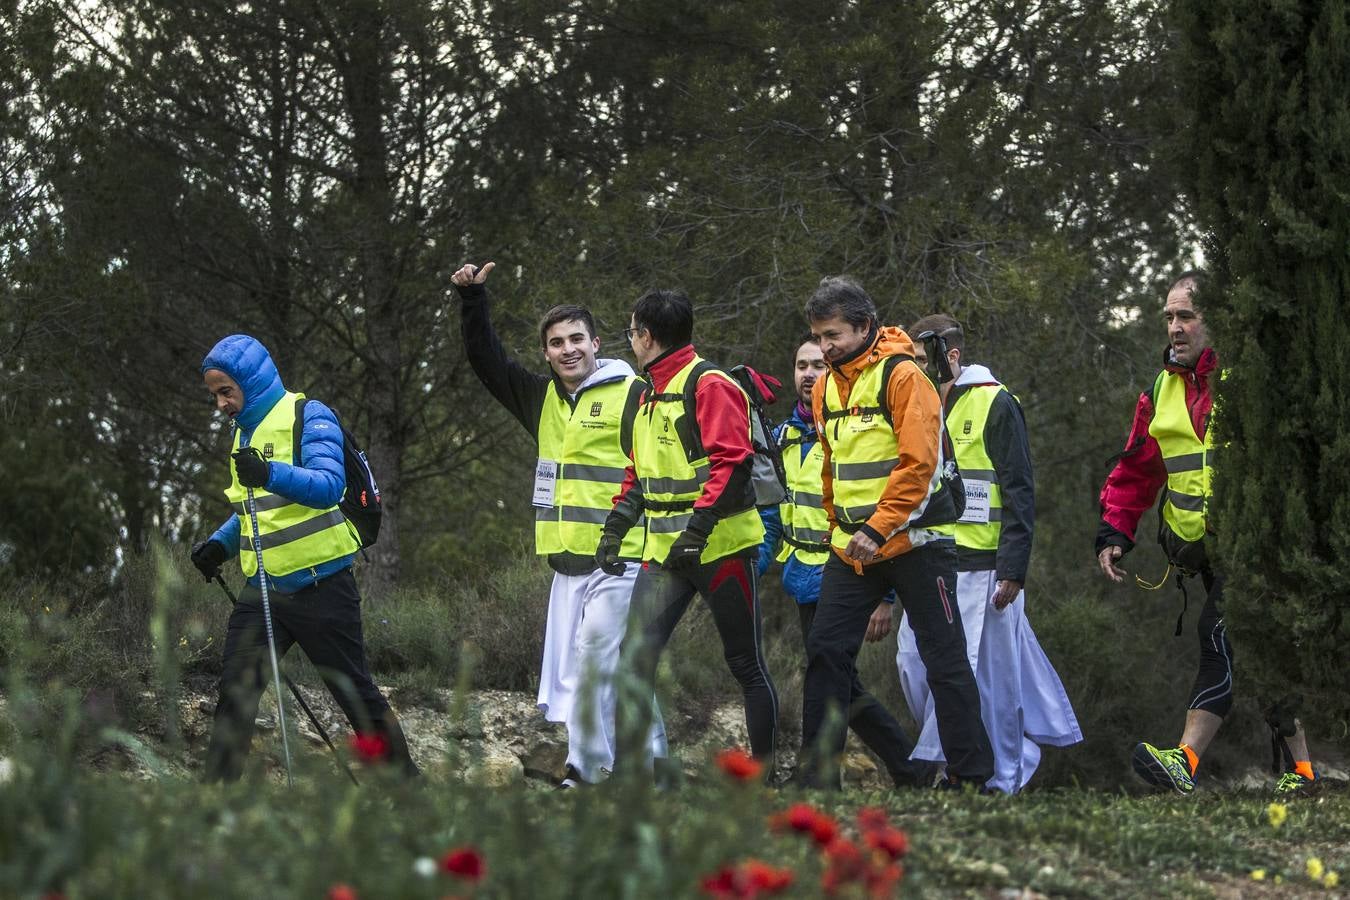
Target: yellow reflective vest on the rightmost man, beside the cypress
[(1186, 457)]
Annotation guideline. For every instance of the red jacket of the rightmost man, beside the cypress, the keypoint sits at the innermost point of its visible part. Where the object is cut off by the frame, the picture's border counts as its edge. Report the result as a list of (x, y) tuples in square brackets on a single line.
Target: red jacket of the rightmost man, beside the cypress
[(1139, 476)]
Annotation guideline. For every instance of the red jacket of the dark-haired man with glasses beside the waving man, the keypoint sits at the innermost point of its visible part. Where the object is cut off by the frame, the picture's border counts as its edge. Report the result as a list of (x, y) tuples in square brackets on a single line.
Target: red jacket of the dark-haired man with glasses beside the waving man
[(724, 426)]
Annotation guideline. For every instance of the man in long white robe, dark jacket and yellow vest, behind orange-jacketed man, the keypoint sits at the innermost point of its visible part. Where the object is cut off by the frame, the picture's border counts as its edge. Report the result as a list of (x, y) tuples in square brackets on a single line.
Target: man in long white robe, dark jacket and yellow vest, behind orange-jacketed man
[(1023, 700)]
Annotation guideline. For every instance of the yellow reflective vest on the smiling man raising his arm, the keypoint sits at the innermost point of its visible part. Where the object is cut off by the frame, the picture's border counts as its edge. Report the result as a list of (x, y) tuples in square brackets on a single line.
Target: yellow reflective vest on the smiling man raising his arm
[(584, 439)]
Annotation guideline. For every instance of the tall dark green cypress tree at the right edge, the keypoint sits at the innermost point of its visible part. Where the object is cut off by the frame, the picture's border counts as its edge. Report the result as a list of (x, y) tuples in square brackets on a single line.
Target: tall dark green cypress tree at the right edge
[(1271, 144)]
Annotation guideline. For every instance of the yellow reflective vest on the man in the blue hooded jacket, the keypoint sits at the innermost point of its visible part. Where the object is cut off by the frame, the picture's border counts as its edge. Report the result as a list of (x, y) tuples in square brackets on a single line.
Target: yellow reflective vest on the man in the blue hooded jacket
[(294, 536)]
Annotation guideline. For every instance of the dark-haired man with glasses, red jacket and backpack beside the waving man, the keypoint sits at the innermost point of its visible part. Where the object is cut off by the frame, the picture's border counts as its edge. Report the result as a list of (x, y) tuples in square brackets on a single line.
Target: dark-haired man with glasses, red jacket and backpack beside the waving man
[(691, 478)]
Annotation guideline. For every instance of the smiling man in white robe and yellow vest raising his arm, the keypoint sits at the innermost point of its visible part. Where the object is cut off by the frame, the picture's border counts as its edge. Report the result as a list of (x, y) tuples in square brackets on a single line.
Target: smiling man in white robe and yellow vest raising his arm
[(580, 418)]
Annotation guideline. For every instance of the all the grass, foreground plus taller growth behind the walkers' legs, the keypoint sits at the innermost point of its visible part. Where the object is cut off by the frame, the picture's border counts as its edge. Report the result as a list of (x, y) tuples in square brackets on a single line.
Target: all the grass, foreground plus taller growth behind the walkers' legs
[(91, 677)]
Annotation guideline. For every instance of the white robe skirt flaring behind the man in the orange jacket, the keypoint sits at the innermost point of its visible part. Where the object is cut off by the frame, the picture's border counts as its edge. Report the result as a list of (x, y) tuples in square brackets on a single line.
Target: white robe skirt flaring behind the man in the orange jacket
[(1023, 700)]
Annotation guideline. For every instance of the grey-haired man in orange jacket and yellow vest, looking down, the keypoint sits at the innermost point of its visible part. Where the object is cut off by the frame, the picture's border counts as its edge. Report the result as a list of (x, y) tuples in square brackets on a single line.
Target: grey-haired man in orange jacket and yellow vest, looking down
[(881, 423)]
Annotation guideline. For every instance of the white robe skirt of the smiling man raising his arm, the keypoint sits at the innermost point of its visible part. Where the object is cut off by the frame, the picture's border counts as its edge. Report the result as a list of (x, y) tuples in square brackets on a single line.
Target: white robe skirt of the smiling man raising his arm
[(588, 616)]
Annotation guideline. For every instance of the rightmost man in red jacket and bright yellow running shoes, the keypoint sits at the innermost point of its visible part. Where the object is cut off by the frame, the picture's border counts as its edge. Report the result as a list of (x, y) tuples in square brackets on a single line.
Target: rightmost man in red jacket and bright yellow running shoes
[(1171, 447)]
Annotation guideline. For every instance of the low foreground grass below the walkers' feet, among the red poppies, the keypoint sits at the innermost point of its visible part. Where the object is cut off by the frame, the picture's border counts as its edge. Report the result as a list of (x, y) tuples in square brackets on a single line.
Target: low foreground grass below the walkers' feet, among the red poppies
[(82, 835)]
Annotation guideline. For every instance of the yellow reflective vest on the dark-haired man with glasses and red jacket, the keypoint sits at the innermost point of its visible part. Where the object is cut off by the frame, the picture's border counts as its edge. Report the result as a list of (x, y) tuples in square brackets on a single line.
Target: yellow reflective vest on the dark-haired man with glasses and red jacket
[(672, 482)]
